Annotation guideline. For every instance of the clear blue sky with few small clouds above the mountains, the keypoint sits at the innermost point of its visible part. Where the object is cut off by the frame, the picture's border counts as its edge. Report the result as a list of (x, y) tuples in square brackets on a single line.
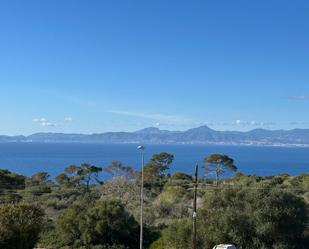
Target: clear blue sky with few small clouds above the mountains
[(96, 66)]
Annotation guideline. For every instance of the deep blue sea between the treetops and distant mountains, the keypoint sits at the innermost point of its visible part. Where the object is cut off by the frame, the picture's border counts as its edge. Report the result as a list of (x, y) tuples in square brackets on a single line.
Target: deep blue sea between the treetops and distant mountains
[(29, 158)]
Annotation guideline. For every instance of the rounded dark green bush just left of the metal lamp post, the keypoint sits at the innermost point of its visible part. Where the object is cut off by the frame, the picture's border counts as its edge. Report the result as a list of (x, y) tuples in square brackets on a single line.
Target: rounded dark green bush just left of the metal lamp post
[(106, 223)]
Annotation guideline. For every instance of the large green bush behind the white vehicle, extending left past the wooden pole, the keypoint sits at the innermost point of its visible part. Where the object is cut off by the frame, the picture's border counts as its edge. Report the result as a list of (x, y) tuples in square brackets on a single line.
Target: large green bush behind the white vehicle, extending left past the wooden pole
[(250, 219)]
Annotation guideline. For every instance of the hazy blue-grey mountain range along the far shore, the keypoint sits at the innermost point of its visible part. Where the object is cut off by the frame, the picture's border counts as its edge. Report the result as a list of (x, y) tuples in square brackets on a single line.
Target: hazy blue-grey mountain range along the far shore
[(200, 135)]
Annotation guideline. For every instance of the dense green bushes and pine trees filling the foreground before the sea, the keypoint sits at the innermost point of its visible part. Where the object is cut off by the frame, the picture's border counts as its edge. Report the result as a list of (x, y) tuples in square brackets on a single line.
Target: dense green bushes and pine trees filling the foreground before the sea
[(80, 210)]
